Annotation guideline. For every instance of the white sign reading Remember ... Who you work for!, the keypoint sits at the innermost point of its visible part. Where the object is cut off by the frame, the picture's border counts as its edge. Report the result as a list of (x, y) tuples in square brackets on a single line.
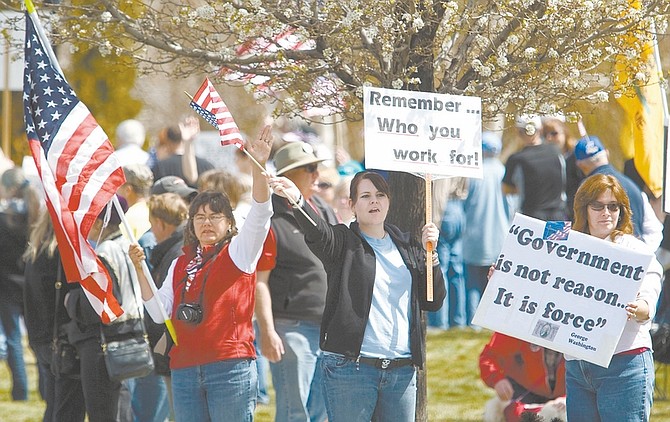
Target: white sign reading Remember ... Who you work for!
[(422, 132)]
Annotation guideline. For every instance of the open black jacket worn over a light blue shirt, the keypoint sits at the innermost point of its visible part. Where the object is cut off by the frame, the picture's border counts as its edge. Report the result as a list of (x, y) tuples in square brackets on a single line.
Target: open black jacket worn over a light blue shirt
[(350, 264)]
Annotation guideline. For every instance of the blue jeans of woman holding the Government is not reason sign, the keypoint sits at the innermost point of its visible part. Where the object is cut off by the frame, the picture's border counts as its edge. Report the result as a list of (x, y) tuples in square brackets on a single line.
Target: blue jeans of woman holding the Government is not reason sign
[(623, 392)]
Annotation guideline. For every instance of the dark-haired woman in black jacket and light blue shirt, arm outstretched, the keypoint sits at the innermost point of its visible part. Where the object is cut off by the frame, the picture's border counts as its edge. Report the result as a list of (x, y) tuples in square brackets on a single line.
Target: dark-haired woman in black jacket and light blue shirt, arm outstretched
[(371, 331)]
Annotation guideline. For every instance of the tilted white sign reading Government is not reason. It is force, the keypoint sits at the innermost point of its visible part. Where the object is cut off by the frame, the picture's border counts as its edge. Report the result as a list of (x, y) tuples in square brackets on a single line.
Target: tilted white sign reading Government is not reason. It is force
[(567, 295)]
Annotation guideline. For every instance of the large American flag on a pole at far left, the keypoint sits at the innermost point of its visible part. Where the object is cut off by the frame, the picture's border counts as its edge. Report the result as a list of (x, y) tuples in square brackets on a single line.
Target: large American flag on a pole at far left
[(76, 165)]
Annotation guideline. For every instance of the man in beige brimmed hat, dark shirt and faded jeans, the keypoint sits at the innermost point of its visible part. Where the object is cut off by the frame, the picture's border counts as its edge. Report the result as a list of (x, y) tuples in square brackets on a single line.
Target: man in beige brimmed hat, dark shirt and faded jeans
[(291, 297)]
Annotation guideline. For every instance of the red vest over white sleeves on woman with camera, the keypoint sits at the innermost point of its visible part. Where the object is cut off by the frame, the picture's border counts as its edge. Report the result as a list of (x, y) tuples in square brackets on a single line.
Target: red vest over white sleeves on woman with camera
[(226, 330)]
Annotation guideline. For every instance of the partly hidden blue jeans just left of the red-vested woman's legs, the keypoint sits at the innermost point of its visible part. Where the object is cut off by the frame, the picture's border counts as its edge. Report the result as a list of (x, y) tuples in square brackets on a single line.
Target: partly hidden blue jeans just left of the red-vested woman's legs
[(149, 398)]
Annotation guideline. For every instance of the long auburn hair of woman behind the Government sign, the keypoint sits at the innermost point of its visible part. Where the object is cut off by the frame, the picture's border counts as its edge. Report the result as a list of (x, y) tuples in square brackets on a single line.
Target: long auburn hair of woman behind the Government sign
[(589, 191)]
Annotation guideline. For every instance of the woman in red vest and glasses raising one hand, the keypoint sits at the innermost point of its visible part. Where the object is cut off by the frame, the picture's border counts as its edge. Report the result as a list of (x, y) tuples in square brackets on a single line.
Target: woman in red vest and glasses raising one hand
[(209, 295)]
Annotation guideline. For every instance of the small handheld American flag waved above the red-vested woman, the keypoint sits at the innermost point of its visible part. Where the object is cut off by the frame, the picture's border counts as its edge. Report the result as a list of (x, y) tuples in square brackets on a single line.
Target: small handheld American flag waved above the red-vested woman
[(208, 103)]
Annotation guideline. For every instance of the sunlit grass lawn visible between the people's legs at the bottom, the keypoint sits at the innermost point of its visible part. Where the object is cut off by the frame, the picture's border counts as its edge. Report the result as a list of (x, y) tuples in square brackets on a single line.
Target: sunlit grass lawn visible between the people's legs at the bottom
[(455, 393)]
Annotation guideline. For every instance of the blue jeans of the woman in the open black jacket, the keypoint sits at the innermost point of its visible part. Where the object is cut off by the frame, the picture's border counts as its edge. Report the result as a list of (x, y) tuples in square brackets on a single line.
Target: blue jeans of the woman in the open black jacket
[(360, 392)]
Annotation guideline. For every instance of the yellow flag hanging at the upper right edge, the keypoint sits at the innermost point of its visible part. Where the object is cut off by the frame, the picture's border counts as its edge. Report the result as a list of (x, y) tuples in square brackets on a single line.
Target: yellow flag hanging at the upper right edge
[(642, 128)]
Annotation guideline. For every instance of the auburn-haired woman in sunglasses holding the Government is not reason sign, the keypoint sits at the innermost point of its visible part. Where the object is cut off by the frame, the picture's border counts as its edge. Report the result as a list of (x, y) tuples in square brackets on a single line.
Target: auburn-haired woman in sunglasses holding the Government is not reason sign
[(624, 390)]
